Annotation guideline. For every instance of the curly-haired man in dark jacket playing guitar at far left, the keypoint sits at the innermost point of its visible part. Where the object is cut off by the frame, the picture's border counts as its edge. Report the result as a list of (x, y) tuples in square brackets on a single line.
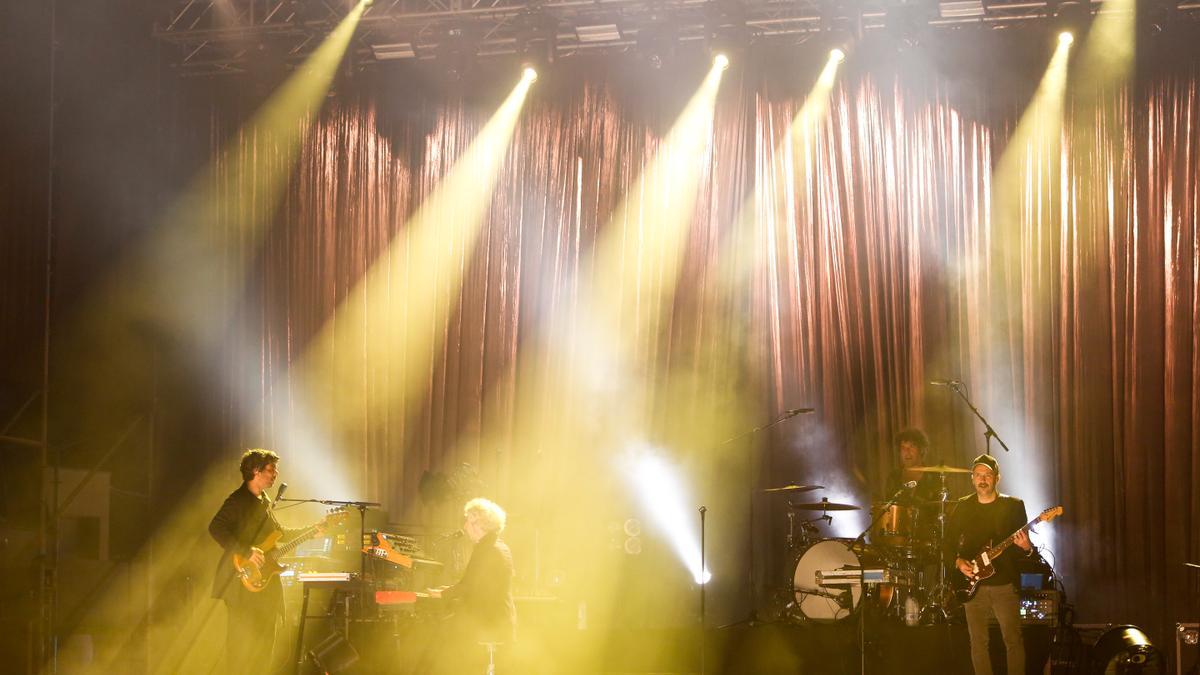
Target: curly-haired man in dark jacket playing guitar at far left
[(244, 521)]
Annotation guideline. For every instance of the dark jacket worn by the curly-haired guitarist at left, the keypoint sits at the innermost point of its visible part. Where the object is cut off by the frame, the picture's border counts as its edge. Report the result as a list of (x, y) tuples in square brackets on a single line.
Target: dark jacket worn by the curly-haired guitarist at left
[(243, 522)]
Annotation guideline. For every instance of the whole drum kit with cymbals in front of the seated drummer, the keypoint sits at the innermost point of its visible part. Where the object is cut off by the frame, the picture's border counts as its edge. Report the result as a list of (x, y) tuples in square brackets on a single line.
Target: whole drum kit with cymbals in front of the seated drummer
[(895, 568)]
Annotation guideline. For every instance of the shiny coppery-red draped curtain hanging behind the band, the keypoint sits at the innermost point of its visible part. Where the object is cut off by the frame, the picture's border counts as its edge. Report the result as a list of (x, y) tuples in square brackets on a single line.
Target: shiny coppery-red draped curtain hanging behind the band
[(844, 274)]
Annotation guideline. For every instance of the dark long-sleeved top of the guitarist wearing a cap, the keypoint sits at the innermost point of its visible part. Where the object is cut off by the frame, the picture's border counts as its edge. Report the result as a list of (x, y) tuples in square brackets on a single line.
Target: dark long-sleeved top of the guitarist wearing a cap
[(975, 527)]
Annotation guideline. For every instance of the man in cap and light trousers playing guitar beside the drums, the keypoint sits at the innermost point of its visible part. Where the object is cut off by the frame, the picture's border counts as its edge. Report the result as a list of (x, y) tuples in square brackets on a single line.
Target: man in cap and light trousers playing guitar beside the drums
[(980, 521)]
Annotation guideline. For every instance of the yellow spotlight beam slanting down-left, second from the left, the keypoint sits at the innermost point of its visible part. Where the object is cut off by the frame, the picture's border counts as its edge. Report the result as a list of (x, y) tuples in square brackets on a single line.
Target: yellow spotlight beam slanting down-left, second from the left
[(385, 333)]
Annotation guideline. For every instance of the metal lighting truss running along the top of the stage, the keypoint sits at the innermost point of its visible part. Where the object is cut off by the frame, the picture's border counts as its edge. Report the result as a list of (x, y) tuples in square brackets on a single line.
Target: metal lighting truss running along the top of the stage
[(230, 37)]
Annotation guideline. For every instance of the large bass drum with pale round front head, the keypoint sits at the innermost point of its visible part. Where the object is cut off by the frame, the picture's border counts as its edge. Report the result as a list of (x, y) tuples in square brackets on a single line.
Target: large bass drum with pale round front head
[(827, 605)]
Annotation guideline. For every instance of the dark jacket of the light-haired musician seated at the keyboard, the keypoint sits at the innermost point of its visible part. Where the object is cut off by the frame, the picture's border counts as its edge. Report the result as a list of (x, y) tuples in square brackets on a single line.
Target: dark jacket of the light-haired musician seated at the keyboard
[(484, 595)]
